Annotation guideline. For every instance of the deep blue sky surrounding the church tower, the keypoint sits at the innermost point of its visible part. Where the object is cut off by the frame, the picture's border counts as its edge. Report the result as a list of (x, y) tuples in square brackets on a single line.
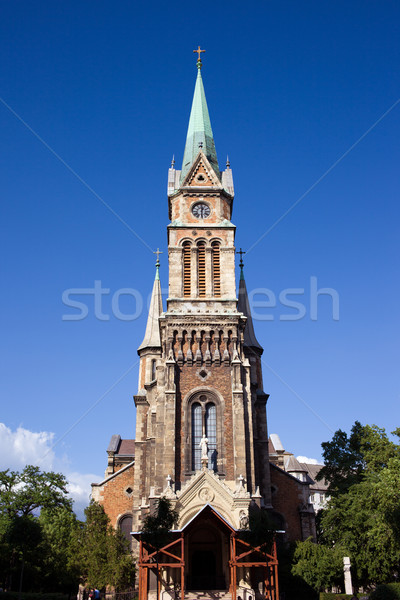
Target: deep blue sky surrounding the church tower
[(107, 86)]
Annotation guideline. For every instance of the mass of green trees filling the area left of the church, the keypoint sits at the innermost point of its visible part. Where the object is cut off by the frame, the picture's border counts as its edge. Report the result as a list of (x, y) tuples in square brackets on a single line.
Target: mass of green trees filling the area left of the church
[(41, 537)]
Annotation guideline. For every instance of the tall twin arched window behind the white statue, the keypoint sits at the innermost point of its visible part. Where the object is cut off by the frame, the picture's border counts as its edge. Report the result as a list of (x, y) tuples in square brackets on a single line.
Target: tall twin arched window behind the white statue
[(204, 422)]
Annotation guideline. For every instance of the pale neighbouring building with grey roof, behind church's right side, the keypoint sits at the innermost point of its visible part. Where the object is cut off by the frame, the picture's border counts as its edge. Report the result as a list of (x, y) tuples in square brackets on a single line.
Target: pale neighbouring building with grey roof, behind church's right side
[(303, 471)]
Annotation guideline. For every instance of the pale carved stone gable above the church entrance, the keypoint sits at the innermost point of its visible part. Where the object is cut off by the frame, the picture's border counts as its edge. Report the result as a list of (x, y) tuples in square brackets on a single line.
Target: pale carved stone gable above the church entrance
[(205, 487)]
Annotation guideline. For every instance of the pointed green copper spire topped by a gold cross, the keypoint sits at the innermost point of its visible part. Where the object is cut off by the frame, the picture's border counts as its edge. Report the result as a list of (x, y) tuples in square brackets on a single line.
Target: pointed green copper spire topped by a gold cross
[(199, 135)]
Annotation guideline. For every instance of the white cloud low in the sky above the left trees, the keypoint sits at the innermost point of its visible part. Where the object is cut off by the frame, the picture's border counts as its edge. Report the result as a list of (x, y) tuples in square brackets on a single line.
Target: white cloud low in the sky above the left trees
[(24, 447)]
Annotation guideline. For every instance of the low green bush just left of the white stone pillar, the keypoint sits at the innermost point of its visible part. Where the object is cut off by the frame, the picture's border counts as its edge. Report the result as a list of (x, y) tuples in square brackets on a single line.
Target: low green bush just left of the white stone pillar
[(319, 566)]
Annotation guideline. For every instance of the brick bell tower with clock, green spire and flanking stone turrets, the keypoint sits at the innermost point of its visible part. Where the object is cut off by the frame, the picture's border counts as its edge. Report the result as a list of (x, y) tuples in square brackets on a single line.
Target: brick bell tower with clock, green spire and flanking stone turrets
[(201, 409)]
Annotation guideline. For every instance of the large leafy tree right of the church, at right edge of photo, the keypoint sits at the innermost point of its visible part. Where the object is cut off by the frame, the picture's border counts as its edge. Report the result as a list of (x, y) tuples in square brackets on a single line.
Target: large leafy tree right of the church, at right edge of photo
[(362, 518)]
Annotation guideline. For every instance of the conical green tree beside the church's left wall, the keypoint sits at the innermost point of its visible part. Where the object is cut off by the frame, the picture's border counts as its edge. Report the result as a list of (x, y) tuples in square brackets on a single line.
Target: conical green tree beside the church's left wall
[(100, 553)]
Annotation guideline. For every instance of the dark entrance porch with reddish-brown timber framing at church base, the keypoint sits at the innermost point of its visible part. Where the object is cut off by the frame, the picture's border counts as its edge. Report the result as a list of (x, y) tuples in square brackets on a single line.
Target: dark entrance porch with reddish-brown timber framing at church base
[(207, 560)]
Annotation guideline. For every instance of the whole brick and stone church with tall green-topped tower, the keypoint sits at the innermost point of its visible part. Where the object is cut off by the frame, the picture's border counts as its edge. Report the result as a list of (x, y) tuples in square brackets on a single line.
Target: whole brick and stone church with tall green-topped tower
[(201, 423)]
